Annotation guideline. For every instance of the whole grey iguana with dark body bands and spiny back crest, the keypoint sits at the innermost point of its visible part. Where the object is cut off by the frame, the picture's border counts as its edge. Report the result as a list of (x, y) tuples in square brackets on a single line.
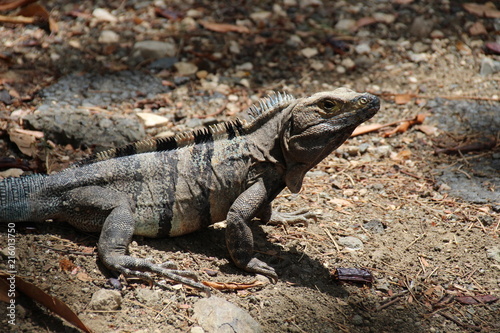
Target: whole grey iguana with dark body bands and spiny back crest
[(173, 186)]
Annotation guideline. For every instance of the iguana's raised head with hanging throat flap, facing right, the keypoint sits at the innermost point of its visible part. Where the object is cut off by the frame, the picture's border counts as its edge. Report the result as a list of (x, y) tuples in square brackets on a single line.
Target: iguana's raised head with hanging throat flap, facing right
[(318, 125)]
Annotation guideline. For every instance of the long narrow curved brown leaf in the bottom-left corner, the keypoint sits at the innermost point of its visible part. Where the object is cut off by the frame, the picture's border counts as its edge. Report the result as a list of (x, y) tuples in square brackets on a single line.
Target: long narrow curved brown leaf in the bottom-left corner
[(50, 302)]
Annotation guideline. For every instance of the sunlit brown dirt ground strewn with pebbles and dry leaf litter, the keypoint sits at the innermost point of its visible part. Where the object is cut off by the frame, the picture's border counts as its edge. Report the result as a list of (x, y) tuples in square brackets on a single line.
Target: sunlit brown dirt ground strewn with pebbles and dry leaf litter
[(425, 245)]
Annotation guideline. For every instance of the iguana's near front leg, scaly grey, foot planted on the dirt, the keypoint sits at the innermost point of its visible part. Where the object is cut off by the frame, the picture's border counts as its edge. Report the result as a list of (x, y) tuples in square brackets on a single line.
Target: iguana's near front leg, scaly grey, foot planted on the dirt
[(239, 238)]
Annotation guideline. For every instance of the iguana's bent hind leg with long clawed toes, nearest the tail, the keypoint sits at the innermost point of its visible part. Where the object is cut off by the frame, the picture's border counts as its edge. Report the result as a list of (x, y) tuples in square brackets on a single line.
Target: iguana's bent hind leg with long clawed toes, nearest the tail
[(117, 232)]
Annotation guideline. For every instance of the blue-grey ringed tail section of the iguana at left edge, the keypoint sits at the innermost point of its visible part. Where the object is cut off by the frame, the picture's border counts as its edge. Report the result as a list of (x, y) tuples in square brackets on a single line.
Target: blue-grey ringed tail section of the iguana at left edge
[(14, 197)]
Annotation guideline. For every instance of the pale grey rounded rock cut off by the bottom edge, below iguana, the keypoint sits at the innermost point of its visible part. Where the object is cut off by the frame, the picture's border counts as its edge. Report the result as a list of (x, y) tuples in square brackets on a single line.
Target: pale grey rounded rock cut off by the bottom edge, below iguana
[(216, 315)]
